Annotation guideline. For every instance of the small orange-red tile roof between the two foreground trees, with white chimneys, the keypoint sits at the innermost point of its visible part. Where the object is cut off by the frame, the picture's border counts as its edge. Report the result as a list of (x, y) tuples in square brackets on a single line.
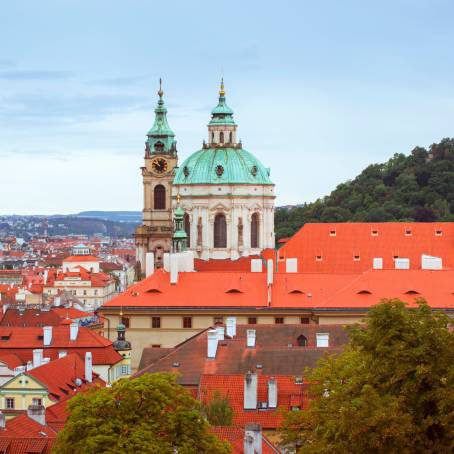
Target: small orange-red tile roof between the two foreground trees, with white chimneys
[(232, 387)]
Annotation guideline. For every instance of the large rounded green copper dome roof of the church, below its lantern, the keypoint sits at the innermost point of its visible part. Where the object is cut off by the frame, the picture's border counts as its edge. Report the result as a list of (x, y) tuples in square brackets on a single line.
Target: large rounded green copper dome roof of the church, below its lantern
[(238, 165)]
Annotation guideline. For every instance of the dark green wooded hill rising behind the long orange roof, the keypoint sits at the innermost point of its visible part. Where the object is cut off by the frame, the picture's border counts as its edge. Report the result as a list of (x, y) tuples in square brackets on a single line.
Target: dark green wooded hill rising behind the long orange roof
[(418, 187)]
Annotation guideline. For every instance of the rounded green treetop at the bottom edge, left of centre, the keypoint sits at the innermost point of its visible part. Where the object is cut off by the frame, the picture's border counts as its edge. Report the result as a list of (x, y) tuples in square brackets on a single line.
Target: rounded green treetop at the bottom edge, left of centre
[(148, 414)]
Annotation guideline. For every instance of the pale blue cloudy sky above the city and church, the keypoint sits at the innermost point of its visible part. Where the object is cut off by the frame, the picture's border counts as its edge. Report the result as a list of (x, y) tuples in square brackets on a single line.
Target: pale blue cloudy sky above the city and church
[(320, 90)]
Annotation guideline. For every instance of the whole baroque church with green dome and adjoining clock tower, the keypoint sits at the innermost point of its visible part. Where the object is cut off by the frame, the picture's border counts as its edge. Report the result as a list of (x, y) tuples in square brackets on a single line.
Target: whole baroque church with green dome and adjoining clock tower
[(226, 193)]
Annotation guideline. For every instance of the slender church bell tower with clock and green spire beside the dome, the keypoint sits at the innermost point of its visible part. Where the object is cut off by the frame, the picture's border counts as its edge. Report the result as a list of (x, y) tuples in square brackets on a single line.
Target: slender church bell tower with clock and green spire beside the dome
[(155, 233)]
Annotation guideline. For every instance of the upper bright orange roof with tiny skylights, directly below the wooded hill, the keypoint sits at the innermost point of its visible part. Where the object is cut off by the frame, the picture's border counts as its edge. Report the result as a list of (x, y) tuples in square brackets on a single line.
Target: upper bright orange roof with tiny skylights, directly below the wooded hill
[(337, 243)]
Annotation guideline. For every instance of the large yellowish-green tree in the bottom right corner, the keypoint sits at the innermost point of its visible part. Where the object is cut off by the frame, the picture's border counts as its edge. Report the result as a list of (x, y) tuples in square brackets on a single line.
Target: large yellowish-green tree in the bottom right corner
[(391, 391)]
